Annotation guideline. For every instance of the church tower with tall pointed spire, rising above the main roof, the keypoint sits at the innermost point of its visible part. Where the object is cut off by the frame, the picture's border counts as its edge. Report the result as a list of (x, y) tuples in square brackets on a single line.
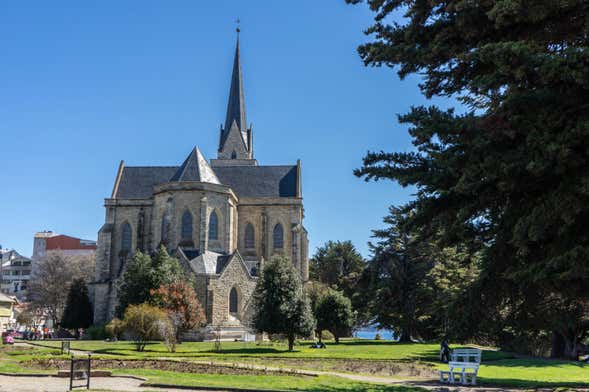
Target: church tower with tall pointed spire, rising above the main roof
[(236, 138)]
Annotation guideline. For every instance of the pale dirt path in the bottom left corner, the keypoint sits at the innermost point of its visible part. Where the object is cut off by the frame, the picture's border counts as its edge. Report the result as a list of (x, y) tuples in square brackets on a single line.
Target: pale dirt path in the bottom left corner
[(57, 384)]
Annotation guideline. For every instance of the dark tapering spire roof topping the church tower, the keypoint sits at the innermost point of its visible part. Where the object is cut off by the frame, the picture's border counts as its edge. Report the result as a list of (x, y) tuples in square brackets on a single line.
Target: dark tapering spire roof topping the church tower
[(236, 103)]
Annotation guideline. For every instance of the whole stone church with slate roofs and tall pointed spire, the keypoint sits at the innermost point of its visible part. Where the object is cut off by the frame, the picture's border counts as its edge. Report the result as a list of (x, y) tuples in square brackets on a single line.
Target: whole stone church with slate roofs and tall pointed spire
[(221, 219)]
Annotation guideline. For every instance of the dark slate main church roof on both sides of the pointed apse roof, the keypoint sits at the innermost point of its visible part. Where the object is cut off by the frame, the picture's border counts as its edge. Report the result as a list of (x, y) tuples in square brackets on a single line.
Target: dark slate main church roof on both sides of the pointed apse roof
[(137, 182)]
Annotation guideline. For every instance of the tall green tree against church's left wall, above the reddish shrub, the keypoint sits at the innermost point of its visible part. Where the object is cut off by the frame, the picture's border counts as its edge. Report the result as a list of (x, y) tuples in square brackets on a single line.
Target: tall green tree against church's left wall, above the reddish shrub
[(145, 273)]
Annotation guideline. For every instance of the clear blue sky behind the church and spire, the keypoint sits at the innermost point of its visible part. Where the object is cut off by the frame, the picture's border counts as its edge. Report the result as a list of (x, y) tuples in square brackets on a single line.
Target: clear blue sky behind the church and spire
[(86, 84)]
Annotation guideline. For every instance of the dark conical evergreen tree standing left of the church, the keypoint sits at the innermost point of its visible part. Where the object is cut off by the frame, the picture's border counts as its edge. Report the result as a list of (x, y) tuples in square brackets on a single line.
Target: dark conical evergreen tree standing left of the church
[(78, 309)]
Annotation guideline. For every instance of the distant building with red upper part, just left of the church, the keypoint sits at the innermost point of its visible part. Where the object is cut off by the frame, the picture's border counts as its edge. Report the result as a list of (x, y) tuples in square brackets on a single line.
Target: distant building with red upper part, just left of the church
[(46, 241)]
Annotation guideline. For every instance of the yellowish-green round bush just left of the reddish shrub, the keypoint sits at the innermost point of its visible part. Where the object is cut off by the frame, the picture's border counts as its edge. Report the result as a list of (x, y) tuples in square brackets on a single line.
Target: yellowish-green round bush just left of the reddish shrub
[(143, 322)]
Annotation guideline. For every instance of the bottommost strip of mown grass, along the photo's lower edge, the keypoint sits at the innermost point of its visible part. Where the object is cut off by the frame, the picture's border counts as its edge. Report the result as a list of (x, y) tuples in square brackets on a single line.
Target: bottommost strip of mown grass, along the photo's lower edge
[(261, 383)]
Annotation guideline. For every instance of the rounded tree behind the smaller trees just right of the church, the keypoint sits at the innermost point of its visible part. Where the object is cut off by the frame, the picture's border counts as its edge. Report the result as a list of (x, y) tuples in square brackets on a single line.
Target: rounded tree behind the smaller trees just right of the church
[(337, 264)]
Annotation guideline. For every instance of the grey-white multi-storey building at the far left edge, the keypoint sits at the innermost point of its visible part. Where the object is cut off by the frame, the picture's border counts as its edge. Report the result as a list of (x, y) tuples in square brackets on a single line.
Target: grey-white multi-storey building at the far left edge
[(15, 271)]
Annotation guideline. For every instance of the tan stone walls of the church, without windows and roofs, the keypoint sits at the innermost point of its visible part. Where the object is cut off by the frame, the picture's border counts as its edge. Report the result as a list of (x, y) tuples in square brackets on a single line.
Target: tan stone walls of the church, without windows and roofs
[(145, 218)]
